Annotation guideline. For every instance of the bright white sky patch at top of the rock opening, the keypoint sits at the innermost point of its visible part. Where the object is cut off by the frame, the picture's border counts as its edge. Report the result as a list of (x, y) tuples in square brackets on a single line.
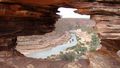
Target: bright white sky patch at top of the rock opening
[(69, 13)]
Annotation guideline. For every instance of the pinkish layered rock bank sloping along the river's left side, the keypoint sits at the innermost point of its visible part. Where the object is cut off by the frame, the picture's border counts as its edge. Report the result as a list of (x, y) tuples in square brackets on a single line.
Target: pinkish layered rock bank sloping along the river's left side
[(30, 44)]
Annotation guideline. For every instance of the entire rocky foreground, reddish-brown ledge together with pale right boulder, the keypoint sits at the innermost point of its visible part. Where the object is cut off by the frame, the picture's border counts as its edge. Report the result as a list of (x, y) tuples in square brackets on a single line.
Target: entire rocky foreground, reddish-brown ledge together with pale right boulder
[(99, 59)]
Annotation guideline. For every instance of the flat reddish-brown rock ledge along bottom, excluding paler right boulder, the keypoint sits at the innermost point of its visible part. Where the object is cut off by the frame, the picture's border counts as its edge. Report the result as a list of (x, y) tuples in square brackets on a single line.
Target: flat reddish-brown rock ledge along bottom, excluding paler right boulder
[(22, 62)]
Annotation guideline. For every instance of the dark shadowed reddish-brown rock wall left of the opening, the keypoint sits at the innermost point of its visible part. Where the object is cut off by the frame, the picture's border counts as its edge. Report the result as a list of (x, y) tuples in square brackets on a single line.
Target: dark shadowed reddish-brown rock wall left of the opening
[(23, 18)]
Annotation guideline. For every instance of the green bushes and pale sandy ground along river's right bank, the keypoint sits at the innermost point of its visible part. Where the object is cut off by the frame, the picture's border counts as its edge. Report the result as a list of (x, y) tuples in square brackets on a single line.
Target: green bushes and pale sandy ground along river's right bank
[(75, 52)]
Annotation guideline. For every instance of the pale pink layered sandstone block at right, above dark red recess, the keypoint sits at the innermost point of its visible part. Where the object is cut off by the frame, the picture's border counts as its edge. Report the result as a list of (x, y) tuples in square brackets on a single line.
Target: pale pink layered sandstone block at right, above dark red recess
[(107, 26)]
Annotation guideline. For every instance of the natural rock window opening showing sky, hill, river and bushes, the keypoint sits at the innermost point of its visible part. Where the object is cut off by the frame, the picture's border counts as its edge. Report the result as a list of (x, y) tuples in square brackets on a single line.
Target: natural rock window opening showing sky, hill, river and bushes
[(73, 37)]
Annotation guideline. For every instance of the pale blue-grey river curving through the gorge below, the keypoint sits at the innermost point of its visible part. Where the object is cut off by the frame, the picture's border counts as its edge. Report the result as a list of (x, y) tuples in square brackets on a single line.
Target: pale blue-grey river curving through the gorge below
[(55, 50)]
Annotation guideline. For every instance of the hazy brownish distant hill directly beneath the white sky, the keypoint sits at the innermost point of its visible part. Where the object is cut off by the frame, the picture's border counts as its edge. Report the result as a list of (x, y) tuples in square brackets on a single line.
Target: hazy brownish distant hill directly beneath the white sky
[(66, 24)]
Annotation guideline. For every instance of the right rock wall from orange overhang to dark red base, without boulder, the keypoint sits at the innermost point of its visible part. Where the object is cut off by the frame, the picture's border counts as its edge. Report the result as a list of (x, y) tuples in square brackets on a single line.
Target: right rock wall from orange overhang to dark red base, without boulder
[(106, 14)]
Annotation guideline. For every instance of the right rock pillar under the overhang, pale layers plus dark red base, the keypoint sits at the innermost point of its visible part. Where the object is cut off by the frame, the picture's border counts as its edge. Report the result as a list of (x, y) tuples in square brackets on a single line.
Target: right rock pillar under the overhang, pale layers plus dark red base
[(108, 29)]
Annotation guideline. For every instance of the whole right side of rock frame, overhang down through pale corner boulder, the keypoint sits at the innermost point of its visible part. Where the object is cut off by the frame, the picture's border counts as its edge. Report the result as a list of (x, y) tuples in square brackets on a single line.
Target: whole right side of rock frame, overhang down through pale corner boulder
[(106, 15)]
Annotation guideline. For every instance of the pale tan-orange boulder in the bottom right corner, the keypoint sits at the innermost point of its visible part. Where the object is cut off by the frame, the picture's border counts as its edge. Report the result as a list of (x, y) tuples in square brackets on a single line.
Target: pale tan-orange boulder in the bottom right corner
[(104, 59)]
